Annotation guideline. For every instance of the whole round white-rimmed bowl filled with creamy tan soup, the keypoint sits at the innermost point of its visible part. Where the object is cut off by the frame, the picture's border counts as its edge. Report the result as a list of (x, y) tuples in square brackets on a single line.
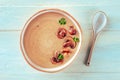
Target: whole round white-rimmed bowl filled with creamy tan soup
[(39, 38)]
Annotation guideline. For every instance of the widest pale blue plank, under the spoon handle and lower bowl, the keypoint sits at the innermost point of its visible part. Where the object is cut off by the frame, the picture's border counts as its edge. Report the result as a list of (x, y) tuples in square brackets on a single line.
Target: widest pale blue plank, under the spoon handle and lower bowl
[(105, 56)]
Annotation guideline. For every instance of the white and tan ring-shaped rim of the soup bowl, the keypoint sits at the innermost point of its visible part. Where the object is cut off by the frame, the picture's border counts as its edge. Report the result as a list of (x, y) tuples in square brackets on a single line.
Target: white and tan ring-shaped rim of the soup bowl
[(22, 37)]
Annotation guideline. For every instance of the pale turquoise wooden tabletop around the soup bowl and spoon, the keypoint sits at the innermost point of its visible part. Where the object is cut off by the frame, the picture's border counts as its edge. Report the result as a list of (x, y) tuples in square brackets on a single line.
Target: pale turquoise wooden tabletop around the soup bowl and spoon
[(105, 63)]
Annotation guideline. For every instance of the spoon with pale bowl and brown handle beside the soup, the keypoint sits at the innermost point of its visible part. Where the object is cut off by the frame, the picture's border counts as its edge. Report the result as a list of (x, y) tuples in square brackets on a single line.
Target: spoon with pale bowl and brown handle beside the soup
[(99, 22)]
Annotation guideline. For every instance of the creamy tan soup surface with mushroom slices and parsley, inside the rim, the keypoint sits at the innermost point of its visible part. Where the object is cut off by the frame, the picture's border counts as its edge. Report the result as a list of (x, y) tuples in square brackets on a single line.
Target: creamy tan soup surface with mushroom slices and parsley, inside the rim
[(50, 40)]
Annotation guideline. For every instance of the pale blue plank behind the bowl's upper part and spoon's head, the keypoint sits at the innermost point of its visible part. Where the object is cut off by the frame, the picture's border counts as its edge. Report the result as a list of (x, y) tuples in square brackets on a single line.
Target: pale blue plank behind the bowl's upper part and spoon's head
[(15, 17)]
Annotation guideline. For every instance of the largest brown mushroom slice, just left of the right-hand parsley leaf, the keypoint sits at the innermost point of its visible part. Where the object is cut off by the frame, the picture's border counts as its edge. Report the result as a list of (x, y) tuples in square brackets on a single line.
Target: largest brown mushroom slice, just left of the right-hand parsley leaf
[(69, 42)]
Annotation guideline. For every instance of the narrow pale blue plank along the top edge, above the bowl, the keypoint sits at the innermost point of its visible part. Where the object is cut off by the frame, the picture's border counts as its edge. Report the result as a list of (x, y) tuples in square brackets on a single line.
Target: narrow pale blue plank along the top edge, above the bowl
[(70, 2)]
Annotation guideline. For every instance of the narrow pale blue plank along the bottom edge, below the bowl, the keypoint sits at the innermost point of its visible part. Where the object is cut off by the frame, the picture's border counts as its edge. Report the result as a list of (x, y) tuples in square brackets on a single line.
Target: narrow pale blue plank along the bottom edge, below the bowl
[(59, 76)]
